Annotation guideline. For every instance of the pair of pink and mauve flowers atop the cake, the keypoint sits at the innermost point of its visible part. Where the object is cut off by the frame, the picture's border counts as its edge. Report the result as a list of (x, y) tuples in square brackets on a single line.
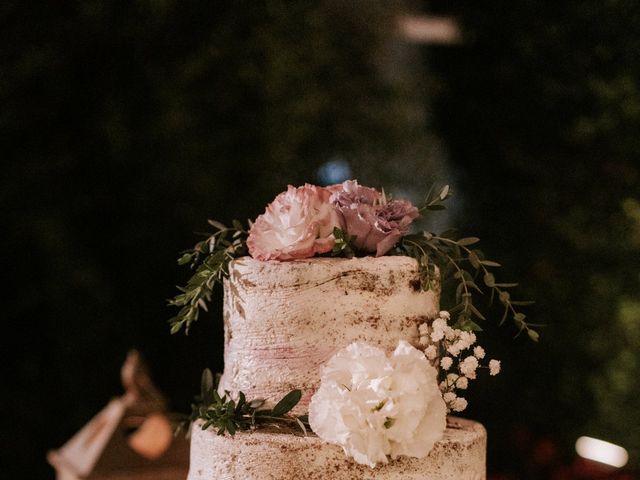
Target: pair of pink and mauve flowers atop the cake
[(300, 222)]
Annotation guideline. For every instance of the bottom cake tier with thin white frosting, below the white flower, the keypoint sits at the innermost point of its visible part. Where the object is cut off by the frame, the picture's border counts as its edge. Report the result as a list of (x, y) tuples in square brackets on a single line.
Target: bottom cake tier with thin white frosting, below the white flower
[(268, 455)]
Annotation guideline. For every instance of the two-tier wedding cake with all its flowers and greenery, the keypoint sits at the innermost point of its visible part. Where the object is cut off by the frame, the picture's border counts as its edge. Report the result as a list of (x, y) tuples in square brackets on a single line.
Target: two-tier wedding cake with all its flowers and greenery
[(339, 362)]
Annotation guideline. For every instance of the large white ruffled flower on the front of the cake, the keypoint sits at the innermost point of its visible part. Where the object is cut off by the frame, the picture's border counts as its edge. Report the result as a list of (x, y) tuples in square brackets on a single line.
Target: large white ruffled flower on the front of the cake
[(374, 406)]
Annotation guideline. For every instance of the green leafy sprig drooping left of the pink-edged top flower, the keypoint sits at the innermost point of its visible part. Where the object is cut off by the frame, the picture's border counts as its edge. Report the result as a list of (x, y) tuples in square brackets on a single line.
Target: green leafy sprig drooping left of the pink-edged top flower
[(210, 259)]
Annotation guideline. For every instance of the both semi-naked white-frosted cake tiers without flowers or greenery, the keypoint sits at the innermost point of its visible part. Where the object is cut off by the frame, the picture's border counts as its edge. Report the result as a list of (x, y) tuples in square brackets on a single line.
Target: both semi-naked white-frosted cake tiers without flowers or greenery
[(283, 321)]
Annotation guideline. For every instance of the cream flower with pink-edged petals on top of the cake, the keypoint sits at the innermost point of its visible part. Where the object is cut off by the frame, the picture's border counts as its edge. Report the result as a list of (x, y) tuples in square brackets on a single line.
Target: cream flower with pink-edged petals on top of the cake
[(297, 224)]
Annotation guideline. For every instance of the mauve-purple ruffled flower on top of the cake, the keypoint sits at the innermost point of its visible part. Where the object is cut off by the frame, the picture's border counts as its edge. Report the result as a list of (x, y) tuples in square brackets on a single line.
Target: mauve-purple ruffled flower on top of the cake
[(377, 224)]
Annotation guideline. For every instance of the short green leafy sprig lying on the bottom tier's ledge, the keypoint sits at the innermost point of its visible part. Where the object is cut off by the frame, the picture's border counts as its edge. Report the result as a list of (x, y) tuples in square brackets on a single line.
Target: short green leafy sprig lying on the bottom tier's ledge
[(228, 415)]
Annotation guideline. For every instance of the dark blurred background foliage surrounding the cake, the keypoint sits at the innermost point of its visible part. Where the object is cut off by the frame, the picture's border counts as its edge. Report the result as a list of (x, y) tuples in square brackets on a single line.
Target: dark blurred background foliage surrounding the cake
[(124, 126)]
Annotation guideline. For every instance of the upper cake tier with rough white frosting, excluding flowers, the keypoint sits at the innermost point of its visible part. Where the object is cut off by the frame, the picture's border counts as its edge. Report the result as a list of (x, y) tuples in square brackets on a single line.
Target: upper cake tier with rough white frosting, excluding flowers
[(284, 320)]
